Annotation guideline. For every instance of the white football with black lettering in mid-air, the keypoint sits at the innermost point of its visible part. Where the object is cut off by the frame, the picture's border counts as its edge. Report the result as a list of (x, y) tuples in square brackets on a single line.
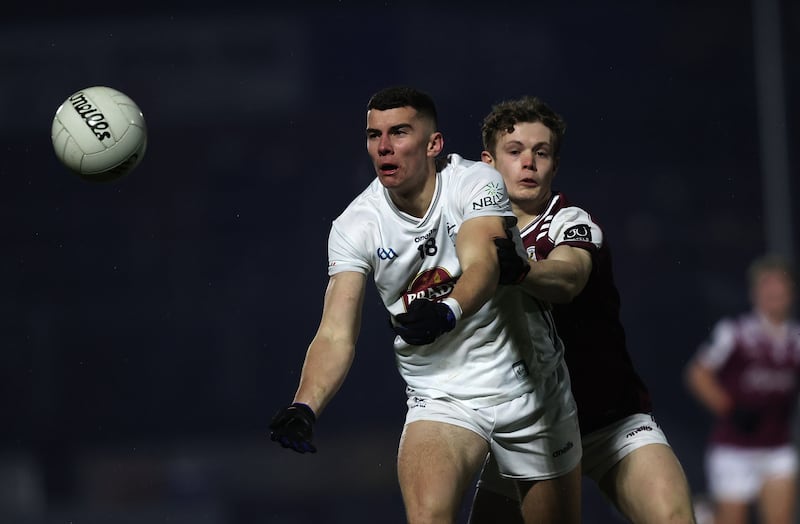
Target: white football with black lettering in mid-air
[(99, 133)]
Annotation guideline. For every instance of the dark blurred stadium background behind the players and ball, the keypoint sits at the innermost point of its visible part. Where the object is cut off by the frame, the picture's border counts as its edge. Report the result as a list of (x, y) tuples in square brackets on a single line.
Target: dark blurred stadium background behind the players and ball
[(150, 328)]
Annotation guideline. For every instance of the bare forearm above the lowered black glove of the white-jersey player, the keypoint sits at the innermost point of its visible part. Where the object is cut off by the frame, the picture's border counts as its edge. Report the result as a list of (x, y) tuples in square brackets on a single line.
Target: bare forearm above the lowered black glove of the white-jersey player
[(324, 371)]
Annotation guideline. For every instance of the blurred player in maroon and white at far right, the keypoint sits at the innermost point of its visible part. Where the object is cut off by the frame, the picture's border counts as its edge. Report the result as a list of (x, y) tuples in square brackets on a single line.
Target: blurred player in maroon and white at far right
[(746, 374)]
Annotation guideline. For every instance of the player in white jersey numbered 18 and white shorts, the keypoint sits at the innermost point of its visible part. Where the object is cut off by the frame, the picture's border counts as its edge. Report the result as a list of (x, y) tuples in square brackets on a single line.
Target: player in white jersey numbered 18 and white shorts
[(426, 232)]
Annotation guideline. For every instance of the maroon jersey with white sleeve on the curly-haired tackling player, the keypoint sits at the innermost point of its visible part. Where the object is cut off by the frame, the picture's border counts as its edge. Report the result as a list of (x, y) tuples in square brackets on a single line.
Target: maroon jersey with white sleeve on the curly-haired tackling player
[(605, 384)]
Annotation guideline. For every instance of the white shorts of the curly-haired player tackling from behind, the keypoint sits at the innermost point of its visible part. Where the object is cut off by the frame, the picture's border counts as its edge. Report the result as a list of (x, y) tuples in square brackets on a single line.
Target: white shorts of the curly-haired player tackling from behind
[(602, 449)]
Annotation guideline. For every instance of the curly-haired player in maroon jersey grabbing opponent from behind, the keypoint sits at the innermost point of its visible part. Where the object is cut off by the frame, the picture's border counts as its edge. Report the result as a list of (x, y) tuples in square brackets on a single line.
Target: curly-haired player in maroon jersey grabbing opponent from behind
[(624, 451)]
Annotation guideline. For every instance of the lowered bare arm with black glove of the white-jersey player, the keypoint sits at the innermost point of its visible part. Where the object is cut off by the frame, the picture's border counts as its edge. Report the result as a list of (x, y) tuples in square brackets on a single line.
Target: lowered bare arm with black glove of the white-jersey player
[(327, 362)]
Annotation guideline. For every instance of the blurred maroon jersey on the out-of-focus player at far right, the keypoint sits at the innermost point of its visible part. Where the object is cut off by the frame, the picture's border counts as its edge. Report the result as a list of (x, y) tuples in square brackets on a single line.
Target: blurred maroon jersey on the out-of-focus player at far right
[(758, 366)]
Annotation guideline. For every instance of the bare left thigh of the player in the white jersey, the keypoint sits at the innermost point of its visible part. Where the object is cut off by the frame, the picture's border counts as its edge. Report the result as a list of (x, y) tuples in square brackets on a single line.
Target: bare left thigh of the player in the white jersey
[(436, 462)]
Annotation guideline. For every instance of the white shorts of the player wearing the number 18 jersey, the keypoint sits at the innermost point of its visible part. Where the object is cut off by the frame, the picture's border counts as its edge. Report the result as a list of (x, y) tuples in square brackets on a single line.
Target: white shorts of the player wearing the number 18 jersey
[(533, 437)]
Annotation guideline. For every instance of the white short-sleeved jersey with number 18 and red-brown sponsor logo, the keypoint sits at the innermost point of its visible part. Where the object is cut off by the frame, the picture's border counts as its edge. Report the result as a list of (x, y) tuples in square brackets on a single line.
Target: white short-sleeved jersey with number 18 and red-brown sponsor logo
[(480, 361)]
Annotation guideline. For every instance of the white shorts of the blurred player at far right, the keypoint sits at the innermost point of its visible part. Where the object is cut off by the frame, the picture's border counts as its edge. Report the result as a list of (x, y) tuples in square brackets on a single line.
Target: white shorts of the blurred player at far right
[(737, 474)]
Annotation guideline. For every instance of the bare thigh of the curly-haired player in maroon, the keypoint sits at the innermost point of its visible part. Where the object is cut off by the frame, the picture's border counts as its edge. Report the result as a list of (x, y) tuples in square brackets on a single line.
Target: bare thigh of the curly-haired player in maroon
[(649, 485)]
